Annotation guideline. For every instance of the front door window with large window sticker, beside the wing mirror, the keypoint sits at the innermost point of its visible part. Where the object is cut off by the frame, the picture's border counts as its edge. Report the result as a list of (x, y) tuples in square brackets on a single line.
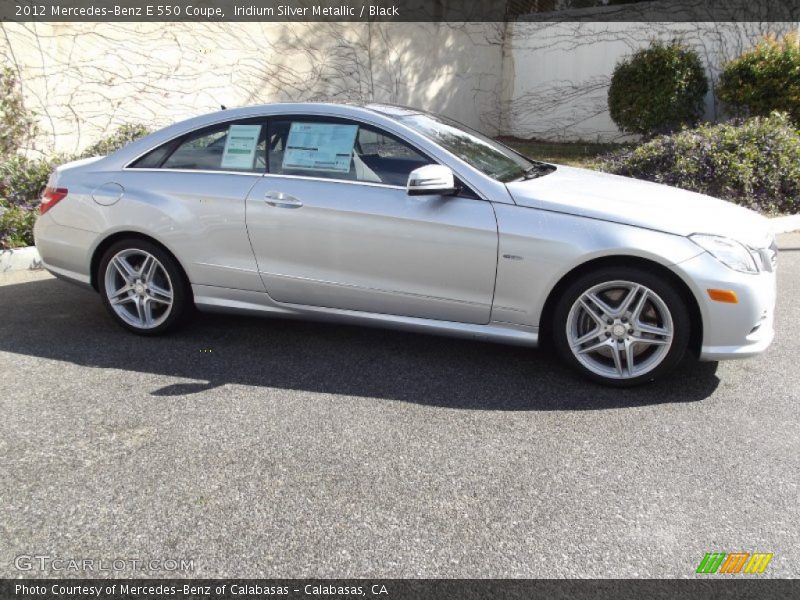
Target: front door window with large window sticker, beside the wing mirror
[(340, 150)]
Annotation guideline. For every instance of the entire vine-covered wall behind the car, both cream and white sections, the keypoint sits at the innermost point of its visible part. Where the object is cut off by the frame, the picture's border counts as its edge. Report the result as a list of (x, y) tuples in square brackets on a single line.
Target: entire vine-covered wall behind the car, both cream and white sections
[(544, 80)]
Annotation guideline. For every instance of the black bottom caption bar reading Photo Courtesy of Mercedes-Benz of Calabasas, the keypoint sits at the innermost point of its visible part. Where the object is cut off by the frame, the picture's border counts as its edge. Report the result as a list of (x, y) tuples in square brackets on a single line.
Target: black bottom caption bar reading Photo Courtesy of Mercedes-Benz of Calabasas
[(396, 589)]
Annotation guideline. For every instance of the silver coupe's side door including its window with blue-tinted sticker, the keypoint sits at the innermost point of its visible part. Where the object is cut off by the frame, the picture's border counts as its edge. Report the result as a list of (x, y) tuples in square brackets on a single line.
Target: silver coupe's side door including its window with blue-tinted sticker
[(331, 225)]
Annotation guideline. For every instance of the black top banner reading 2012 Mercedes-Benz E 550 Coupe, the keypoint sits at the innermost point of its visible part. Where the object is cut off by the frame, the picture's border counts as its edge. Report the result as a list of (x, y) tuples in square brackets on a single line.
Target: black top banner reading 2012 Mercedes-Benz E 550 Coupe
[(399, 10)]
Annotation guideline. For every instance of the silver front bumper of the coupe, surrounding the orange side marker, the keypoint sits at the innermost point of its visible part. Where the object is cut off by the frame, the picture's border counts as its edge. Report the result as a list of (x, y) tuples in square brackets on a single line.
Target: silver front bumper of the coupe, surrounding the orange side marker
[(736, 330)]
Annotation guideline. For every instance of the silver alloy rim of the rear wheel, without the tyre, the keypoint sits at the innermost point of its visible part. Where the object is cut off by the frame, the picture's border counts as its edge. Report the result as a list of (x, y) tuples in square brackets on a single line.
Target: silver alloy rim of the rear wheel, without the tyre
[(139, 288)]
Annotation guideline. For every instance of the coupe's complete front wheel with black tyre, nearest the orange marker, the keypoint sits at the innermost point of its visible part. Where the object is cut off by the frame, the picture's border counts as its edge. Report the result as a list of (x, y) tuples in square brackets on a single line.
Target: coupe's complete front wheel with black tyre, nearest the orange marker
[(621, 326)]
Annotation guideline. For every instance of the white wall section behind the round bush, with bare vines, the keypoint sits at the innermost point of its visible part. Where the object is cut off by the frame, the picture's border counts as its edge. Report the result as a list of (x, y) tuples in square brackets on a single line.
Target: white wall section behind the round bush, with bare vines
[(556, 75)]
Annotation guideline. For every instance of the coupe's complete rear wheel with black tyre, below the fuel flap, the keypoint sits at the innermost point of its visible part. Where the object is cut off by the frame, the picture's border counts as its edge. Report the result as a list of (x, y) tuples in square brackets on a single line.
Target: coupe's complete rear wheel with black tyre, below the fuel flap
[(142, 287)]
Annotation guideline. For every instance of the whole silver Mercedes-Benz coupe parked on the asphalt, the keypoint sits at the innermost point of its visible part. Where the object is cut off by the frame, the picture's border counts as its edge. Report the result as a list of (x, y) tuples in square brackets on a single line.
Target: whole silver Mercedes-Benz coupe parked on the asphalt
[(391, 216)]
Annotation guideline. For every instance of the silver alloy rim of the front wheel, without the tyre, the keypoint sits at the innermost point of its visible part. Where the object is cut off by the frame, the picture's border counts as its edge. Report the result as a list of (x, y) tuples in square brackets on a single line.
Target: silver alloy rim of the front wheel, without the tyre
[(620, 329)]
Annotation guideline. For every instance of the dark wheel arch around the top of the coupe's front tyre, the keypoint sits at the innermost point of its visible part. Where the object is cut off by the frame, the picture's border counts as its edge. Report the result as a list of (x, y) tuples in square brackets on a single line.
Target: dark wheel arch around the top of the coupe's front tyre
[(695, 316)]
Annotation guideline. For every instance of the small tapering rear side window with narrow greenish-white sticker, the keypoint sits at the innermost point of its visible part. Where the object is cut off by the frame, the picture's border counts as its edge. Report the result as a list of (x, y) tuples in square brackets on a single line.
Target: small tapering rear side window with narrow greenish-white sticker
[(237, 146)]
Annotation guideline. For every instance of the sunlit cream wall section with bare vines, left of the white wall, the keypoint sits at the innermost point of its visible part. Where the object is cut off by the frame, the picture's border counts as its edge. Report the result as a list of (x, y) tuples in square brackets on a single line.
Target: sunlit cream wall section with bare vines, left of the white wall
[(83, 79)]
